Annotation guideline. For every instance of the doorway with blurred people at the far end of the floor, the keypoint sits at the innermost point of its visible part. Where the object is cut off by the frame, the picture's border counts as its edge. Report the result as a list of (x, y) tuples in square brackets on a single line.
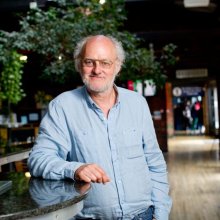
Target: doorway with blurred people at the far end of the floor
[(195, 109)]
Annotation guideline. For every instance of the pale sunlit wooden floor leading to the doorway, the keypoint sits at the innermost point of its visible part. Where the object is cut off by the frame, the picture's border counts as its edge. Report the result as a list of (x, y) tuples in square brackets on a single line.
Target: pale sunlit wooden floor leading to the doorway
[(194, 175)]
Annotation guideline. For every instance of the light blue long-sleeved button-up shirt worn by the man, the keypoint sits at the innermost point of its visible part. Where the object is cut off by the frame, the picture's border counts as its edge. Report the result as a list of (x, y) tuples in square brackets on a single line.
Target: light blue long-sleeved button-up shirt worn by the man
[(75, 131)]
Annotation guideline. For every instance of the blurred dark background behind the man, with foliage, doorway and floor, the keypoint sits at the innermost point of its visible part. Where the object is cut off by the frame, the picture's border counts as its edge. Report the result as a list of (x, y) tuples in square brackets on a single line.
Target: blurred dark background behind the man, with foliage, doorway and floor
[(173, 59)]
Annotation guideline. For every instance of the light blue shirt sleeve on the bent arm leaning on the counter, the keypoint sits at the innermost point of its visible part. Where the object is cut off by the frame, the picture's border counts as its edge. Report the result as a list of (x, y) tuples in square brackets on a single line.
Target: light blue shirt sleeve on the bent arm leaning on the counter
[(49, 155)]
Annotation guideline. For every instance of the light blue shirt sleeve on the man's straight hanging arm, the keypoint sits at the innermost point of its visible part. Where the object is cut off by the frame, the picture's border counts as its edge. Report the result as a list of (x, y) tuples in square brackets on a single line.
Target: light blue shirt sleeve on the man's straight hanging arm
[(157, 167)]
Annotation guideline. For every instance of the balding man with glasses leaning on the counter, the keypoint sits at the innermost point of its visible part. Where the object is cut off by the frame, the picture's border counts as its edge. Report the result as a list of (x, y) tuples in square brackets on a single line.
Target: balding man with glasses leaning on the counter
[(102, 133)]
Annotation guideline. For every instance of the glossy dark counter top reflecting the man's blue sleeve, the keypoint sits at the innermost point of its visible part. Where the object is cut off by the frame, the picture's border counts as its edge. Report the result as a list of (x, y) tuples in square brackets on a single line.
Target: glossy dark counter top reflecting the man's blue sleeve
[(32, 197)]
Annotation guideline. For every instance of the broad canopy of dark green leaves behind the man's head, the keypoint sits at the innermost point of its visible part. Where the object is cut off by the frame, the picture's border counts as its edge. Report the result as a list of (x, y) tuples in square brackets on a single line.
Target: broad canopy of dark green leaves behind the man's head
[(53, 33)]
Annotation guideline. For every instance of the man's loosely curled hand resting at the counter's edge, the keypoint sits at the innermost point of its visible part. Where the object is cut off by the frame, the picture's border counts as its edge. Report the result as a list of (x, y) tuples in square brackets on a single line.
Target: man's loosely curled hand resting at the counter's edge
[(91, 173)]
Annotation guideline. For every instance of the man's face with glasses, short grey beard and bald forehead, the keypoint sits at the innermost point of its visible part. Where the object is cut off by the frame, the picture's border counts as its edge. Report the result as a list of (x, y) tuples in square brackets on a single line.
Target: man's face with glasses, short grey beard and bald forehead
[(99, 65)]
